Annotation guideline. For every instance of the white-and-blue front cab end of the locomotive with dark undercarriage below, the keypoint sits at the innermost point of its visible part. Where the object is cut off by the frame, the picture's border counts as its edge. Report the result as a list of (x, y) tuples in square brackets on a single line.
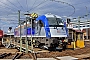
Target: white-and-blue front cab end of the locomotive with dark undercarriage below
[(57, 31)]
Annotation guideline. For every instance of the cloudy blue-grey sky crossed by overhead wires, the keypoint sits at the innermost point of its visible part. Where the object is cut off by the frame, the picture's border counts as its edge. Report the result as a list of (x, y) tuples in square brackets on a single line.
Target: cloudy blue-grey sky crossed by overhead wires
[(69, 8)]
